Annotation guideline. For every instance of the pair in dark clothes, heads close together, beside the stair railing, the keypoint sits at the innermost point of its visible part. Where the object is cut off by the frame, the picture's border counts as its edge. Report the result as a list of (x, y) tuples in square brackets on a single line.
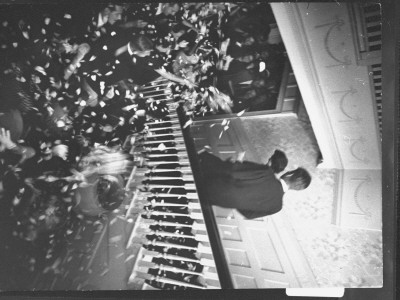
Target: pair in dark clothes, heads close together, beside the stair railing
[(254, 189)]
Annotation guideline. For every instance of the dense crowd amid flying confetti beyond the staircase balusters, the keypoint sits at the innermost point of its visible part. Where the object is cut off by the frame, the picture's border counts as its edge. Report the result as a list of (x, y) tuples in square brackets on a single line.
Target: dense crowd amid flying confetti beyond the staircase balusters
[(70, 80)]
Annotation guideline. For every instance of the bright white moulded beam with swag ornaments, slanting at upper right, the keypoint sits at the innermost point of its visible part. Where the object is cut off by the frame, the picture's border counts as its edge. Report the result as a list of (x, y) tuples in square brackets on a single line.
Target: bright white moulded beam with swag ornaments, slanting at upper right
[(336, 91)]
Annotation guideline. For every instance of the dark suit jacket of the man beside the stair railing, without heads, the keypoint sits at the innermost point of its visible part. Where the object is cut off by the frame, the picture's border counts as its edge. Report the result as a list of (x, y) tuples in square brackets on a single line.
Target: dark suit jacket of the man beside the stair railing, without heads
[(249, 187)]
